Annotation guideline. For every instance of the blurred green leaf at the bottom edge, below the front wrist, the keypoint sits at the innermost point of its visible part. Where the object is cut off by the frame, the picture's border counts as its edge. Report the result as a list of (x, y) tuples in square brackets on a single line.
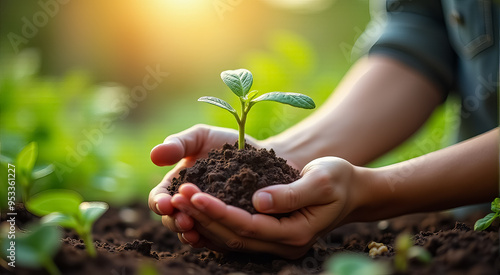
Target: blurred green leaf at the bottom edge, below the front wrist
[(355, 264)]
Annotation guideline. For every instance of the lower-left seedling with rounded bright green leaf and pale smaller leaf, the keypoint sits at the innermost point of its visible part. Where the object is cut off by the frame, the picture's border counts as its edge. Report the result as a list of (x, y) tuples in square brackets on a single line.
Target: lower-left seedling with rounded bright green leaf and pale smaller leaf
[(67, 209)]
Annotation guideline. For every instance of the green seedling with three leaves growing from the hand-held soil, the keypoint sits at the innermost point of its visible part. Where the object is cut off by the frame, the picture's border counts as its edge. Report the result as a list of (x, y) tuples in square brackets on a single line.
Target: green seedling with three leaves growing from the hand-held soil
[(240, 81)]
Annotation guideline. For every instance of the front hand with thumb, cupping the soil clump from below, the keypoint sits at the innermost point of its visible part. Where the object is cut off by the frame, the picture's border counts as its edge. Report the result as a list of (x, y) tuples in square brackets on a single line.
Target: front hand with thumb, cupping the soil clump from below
[(321, 200)]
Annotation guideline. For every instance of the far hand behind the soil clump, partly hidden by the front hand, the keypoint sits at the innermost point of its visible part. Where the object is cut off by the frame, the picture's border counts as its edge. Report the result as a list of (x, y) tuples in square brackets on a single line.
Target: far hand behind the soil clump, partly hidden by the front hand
[(185, 147)]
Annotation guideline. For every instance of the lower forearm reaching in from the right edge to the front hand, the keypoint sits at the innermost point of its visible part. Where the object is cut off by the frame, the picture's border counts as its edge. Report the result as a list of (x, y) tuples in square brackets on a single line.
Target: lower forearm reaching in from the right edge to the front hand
[(462, 174)]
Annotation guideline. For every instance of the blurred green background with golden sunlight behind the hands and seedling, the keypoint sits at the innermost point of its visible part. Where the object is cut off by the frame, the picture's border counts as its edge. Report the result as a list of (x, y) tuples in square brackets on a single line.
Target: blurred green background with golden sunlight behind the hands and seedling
[(97, 84)]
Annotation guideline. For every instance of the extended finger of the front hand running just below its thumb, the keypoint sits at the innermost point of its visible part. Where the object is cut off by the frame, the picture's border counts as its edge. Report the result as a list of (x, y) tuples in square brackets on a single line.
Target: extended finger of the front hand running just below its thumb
[(293, 230)]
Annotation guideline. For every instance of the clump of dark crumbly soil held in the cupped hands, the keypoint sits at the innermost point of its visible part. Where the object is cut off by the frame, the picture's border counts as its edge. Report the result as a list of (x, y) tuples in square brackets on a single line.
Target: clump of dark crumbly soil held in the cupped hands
[(233, 175)]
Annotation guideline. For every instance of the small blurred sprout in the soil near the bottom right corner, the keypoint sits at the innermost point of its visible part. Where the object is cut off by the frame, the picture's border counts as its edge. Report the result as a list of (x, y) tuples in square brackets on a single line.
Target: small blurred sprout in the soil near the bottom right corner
[(405, 250)]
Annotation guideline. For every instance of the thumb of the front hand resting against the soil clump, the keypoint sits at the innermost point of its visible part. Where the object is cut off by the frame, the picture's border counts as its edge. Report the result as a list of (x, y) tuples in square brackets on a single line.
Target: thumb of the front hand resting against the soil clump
[(314, 188)]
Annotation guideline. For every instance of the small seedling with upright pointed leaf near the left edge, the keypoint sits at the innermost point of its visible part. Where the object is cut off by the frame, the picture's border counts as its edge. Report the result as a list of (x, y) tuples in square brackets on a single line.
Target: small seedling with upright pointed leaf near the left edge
[(25, 163)]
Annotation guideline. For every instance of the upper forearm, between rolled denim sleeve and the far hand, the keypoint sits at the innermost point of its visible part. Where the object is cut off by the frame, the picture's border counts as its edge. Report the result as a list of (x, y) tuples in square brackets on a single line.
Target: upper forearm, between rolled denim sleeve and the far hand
[(379, 104)]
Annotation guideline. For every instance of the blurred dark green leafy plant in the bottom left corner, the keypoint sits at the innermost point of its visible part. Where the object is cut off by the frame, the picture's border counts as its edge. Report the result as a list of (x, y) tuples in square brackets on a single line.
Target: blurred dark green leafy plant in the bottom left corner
[(34, 248)]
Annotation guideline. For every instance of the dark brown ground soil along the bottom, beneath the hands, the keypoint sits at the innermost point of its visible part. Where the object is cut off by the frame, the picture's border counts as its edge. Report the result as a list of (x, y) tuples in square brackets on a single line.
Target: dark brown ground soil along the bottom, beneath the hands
[(132, 240)]
